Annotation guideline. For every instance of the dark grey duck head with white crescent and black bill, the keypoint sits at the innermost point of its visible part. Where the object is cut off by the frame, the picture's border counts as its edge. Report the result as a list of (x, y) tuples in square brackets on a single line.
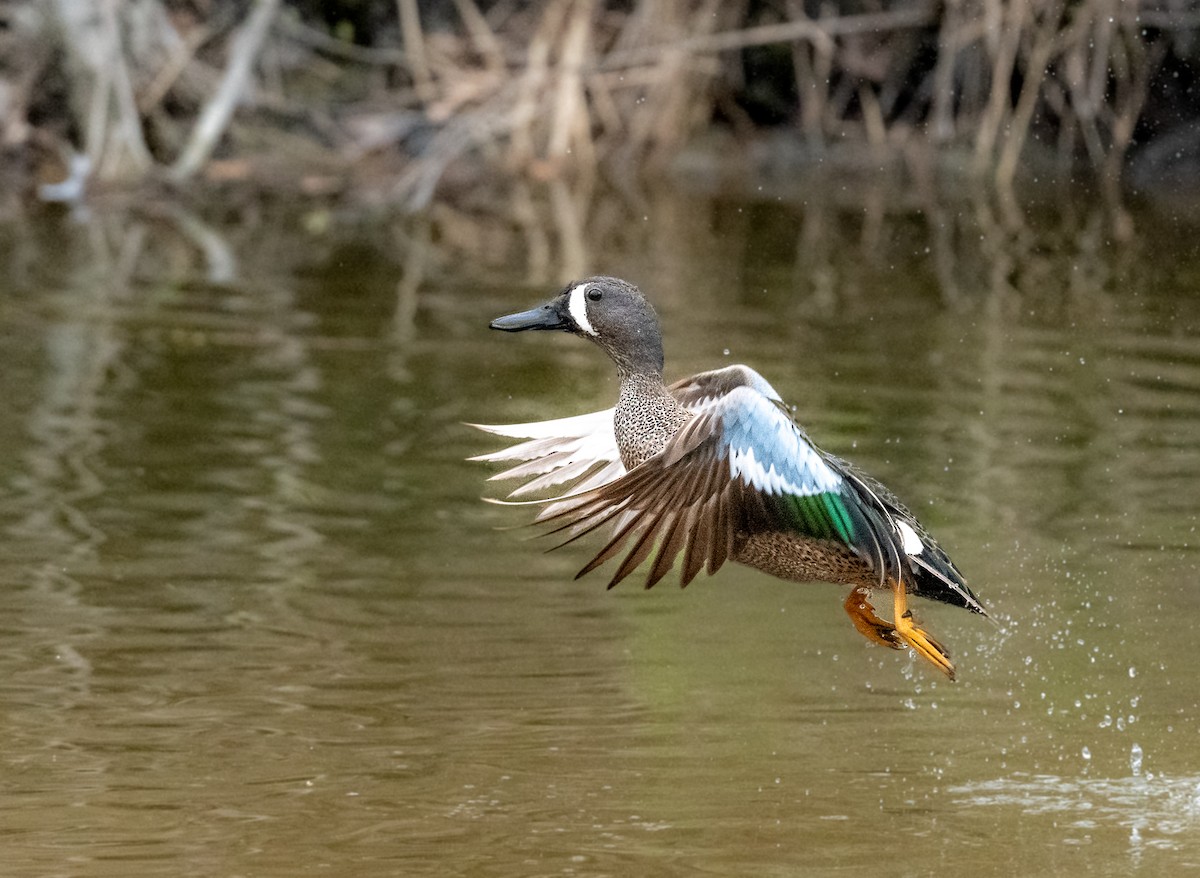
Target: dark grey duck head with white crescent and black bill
[(608, 311)]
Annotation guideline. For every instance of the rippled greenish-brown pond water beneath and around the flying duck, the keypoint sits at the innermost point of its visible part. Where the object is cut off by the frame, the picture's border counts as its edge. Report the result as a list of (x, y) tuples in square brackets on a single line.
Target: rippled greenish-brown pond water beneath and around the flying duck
[(259, 622)]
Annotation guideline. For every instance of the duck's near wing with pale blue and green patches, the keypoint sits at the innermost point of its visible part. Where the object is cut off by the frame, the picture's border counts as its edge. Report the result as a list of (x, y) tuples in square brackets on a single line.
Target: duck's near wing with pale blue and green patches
[(740, 467)]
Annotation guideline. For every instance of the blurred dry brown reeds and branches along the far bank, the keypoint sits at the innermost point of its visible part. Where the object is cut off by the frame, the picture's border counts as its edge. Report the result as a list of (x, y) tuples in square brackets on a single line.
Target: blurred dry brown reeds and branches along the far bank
[(395, 99)]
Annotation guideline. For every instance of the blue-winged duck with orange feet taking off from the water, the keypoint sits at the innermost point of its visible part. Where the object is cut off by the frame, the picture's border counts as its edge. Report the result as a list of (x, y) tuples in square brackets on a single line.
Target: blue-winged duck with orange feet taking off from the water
[(713, 467)]
